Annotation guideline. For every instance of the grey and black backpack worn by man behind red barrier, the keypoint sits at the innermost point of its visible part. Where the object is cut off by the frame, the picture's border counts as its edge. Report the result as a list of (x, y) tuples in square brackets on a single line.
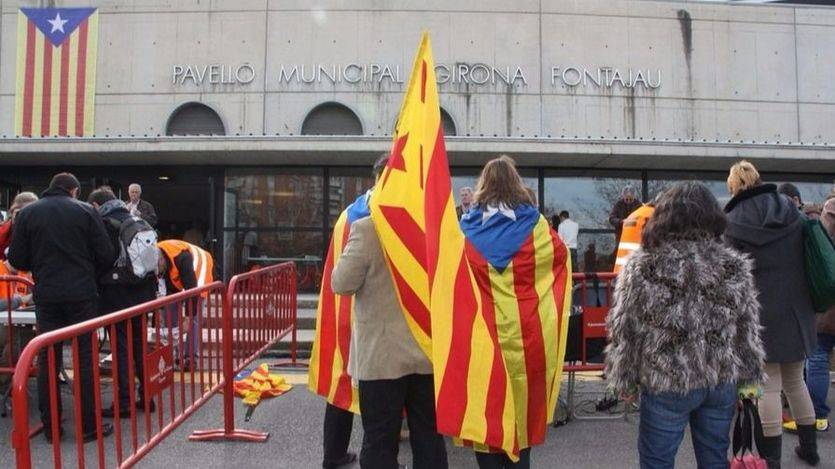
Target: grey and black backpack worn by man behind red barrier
[(138, 252)]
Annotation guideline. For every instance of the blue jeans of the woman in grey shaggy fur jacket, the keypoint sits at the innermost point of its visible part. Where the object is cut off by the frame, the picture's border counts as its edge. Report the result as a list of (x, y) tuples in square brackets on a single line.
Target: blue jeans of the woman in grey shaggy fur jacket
[(664, 418)]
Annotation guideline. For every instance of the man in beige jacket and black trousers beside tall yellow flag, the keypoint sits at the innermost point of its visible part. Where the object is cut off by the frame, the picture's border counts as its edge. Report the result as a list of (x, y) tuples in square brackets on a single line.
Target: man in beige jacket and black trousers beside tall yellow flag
[(392, 371)]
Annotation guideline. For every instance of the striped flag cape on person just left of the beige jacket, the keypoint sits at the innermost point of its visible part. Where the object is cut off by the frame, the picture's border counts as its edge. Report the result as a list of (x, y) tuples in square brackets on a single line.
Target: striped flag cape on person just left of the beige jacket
[(328, 373)]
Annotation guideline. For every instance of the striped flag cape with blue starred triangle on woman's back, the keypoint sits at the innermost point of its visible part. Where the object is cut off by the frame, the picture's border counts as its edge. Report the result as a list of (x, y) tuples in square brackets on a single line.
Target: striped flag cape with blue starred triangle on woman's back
[(523, 272)]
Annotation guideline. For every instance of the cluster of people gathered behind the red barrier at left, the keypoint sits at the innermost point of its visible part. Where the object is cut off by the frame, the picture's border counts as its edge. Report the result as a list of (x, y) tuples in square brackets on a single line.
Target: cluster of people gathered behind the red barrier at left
[(88, 259)]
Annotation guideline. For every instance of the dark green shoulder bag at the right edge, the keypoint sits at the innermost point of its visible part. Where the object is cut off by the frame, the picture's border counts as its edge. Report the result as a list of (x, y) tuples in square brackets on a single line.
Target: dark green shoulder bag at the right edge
[(819, 260)]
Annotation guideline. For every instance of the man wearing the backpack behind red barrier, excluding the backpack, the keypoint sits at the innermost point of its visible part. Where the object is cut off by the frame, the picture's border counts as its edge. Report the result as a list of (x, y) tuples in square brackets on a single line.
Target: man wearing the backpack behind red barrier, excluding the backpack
[(115, 296)]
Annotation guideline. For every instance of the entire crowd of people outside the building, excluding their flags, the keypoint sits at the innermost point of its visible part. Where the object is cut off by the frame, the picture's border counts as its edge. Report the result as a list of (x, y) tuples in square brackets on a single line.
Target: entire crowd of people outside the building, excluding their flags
[(711, 306)]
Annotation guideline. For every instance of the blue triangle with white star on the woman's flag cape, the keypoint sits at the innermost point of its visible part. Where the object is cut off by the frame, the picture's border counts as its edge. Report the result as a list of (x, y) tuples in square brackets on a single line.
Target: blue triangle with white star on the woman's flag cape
[(498, 237)]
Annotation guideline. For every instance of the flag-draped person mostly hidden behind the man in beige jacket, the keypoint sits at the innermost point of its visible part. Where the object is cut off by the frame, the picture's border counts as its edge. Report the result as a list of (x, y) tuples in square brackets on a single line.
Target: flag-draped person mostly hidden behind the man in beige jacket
[(328, 373)]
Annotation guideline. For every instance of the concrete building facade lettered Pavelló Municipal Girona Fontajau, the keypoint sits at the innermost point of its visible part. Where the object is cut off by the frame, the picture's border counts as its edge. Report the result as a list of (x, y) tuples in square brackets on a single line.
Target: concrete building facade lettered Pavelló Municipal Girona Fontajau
[(254, 122)]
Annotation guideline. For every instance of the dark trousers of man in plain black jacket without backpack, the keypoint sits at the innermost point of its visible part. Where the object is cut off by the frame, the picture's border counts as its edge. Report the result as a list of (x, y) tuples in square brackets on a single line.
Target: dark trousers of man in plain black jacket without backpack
[(55, 316)]
